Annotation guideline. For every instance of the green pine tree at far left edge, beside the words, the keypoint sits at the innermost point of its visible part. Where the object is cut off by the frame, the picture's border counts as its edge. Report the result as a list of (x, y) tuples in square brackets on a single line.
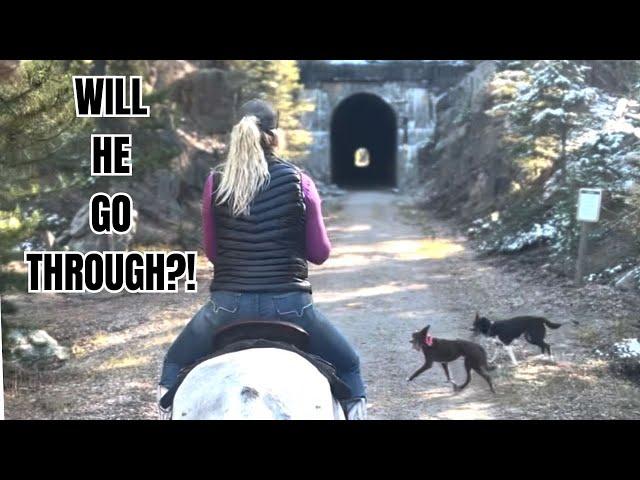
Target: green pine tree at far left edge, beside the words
[(39, 148)]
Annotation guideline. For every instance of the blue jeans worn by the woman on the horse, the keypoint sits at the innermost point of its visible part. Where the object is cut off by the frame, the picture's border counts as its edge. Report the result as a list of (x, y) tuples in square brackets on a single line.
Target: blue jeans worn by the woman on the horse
[(225, 307)]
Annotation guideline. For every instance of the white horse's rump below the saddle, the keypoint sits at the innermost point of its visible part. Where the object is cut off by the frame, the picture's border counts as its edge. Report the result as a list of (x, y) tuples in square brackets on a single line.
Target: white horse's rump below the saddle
[(256, 384)]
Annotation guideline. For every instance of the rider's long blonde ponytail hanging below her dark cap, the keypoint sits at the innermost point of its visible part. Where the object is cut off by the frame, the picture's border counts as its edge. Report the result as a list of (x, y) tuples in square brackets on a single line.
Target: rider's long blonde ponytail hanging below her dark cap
[(246, 171)]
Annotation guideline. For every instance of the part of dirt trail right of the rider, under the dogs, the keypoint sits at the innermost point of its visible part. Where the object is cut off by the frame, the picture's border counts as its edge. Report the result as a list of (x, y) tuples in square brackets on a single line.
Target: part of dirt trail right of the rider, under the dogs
[(394, 270)]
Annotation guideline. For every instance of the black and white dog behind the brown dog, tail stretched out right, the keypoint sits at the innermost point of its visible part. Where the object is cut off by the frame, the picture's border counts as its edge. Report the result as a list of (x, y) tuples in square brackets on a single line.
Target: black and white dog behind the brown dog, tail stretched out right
[(532, 328)]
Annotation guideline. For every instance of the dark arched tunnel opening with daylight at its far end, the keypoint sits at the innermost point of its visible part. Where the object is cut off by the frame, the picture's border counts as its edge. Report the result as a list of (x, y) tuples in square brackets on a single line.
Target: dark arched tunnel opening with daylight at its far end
[(363, 142)]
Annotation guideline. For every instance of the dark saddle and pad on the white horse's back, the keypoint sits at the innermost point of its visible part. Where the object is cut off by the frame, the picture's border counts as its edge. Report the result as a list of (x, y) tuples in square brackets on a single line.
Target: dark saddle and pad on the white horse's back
[(263, 334)]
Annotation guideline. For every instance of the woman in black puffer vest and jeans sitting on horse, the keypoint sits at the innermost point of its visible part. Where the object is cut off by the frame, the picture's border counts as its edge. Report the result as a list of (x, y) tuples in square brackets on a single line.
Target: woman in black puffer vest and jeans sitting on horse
[(262, 222)]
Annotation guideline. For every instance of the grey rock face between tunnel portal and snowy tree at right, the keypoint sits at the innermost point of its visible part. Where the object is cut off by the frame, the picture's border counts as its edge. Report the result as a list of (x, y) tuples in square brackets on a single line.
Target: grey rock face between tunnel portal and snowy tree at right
[(463, 165)]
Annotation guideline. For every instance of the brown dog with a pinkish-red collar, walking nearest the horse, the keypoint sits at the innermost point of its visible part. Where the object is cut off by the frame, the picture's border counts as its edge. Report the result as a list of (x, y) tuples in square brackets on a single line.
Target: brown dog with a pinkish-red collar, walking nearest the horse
[(445, 351)]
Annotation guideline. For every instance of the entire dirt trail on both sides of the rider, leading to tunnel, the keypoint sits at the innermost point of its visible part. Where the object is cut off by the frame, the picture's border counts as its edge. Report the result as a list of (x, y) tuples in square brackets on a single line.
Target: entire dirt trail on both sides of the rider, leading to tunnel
[(391, 272)]
